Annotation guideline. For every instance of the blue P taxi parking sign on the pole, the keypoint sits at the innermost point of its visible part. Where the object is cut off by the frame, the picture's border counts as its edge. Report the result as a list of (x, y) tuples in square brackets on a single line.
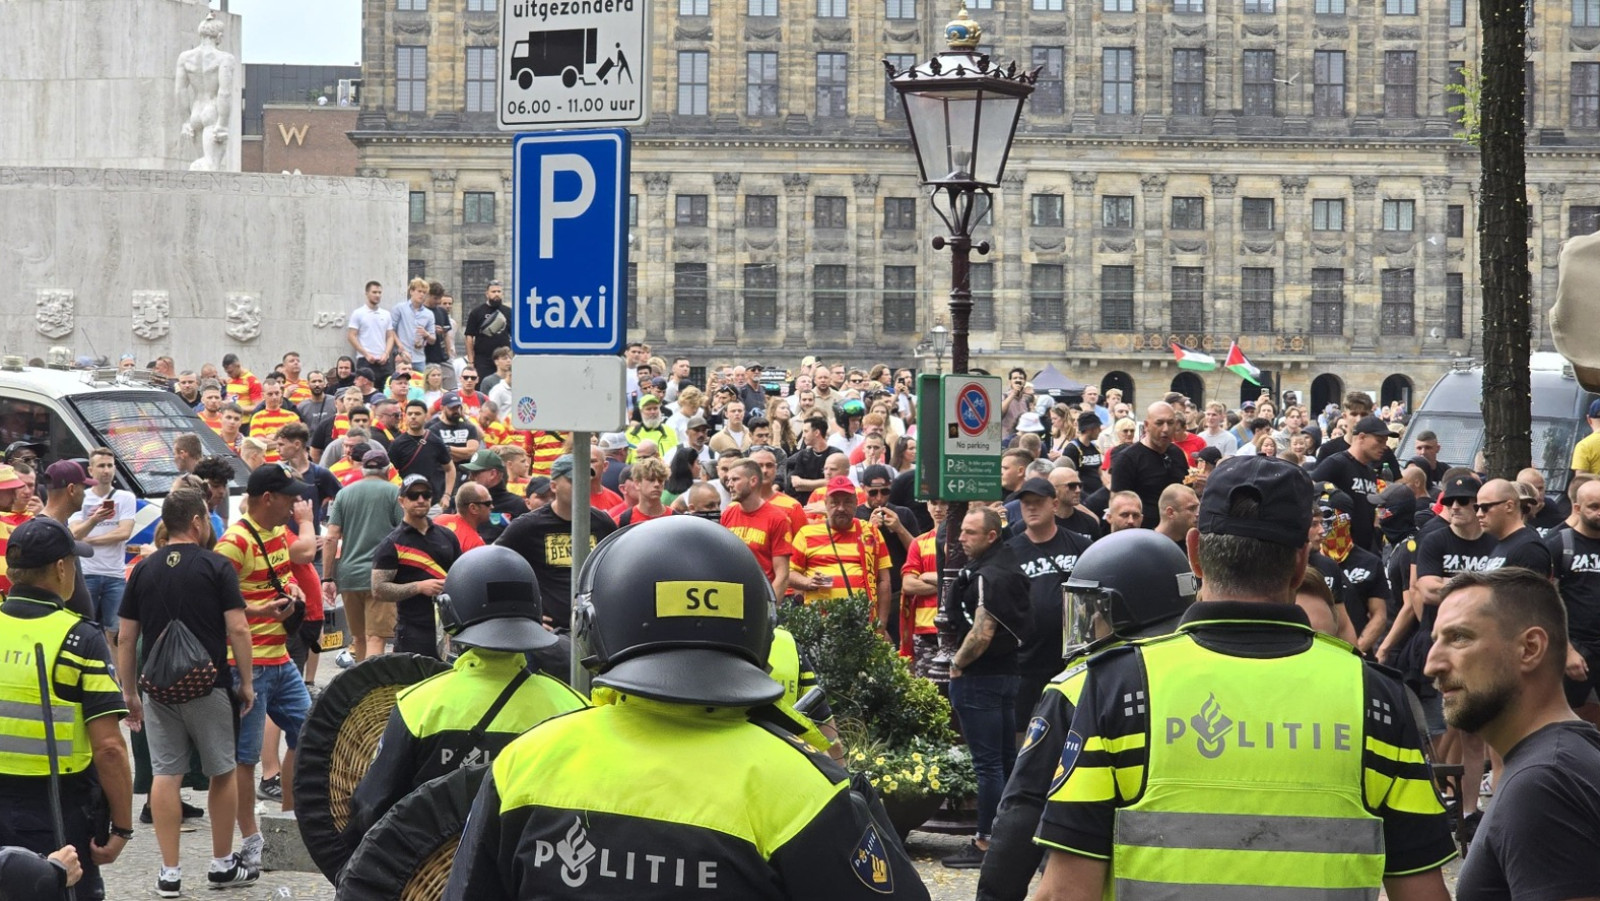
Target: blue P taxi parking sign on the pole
[(570, 242)]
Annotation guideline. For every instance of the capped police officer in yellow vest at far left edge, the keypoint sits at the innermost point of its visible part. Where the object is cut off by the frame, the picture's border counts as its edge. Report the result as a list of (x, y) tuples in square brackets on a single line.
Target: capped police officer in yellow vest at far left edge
[(86, 707)]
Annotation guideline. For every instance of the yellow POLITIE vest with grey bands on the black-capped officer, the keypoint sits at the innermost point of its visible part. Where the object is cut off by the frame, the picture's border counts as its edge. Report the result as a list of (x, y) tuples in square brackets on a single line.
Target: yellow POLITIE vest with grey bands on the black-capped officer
[(1255, 779)]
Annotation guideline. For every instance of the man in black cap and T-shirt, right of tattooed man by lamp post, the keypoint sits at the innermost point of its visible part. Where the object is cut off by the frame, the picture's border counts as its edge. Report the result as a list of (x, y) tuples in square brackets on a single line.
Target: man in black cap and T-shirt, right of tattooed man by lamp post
[(1047, 553)]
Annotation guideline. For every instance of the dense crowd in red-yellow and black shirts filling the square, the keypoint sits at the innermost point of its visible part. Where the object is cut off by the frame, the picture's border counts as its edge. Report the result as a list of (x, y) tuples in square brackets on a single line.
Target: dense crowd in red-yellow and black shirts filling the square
[(374, 478)]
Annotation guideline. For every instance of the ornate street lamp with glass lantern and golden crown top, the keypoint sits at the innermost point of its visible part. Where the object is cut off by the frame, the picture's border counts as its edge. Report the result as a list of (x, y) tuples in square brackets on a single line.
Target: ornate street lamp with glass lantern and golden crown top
[(962, 111)]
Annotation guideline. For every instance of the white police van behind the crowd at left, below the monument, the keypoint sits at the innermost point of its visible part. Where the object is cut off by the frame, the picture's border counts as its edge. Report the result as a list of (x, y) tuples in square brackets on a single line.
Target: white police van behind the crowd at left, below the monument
[(73, 412)]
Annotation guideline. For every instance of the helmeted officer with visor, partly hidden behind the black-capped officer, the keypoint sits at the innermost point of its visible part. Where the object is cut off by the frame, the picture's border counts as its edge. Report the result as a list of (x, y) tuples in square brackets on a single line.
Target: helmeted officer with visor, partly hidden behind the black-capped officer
[(1127, 587)]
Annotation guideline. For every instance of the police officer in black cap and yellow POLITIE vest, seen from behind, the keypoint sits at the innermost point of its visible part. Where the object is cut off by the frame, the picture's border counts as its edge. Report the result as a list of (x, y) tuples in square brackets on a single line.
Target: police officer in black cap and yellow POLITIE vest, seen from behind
[(1244, 756)]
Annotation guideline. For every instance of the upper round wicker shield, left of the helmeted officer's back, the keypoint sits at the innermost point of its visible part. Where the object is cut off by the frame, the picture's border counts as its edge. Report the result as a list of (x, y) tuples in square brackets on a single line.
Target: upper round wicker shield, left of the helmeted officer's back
[(340, 743)]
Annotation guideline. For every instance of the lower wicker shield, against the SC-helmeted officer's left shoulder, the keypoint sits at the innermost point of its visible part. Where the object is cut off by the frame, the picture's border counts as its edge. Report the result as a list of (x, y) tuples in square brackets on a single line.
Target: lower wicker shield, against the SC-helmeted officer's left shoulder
[(409, 854)]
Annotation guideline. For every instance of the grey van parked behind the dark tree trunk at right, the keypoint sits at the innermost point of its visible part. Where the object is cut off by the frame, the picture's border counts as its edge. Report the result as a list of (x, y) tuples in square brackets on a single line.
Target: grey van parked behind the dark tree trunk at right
[(1454, 412)]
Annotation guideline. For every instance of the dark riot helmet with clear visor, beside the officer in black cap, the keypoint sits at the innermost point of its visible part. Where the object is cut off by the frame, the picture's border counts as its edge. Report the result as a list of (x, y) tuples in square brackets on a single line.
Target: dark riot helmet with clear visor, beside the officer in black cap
[(1130, 582)]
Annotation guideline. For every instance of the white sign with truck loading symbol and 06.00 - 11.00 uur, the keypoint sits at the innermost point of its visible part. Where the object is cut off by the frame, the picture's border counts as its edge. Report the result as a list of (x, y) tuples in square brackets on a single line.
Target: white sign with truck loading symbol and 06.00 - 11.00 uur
[(574, 63)]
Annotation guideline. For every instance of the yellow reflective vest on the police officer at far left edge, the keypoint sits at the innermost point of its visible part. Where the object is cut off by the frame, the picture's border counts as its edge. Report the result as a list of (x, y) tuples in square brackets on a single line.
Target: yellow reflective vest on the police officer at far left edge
[(23, 747)]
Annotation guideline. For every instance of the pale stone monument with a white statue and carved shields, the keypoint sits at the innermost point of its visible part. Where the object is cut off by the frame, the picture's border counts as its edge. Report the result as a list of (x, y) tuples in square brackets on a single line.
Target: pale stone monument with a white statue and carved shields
[(129, 228)]
